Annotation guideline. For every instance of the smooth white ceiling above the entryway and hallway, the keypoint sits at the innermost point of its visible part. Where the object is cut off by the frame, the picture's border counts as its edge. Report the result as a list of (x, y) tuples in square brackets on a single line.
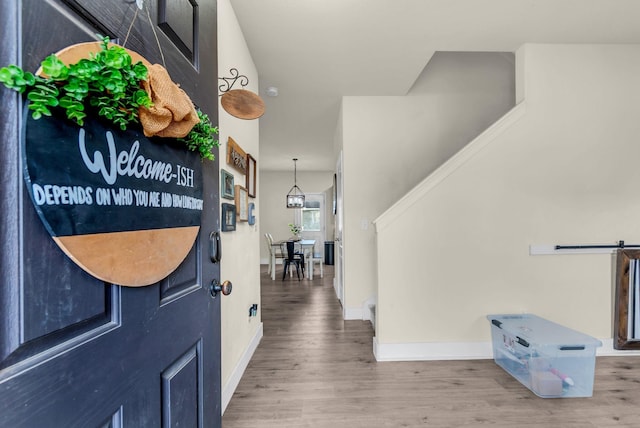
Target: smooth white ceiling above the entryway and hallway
[(316, 51)]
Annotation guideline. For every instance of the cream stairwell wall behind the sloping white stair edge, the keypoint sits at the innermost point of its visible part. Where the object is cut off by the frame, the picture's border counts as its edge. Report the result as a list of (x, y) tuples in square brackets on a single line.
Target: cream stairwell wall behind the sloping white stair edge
[(391, 143)]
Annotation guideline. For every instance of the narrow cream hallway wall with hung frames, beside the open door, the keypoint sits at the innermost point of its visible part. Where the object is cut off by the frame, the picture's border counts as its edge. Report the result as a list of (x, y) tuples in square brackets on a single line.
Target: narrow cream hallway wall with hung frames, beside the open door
[(241, 255)]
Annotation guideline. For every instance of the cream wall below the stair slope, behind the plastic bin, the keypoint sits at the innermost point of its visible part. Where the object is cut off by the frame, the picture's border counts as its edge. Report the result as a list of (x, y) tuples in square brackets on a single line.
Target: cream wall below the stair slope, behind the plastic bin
[(564, 173)]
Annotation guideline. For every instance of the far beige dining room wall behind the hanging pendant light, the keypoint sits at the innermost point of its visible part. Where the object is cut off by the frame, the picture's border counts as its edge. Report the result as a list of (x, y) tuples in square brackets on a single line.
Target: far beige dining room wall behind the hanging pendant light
[(274, 186)]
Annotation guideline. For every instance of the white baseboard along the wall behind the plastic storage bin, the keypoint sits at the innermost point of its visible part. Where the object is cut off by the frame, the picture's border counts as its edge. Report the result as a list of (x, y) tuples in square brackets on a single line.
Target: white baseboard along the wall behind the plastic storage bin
[(459, 351)]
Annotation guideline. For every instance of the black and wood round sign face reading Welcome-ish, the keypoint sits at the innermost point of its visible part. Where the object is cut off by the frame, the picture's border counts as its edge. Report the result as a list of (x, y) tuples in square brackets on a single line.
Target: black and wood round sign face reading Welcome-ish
[(124, 207)]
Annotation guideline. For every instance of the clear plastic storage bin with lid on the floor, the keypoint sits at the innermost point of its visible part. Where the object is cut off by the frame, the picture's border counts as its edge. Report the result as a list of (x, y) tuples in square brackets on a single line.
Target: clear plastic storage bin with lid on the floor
[(551, 360)]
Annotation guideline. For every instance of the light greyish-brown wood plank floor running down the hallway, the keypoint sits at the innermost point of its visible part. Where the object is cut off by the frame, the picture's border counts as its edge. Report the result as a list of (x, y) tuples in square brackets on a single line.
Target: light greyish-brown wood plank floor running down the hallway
[(312, 369)]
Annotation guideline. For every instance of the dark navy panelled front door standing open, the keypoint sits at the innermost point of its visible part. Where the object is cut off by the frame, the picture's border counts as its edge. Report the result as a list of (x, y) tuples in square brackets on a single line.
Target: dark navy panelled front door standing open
[(75, 351)]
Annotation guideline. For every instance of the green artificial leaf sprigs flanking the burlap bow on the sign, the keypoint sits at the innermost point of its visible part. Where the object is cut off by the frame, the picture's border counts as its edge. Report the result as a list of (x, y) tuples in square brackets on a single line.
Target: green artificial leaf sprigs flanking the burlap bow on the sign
[(108, 81)]
